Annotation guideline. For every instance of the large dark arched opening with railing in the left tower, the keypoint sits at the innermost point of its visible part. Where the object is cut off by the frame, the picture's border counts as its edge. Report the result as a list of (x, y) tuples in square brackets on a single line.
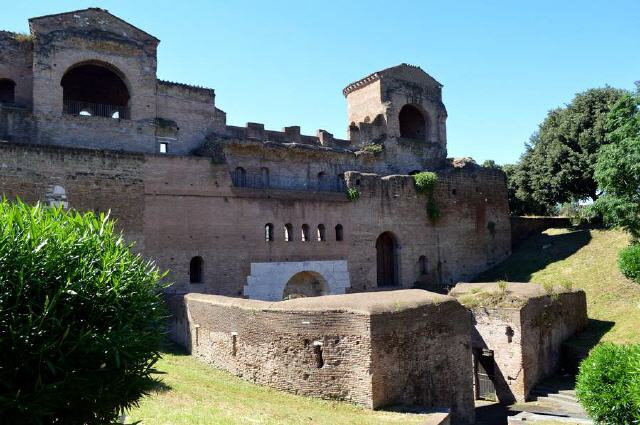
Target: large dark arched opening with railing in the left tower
[(95, 90)]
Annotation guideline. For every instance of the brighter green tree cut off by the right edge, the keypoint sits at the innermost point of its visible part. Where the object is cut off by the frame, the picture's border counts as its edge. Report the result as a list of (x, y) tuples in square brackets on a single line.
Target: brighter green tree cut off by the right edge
[(617, 170)]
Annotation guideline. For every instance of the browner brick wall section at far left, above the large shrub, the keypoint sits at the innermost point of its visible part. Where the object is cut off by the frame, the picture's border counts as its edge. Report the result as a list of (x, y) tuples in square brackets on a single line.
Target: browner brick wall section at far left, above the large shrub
[(86, 180)]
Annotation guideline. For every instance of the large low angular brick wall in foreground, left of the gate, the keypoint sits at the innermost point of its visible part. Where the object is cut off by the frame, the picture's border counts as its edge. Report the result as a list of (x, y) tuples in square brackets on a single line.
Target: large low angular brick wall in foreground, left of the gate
[(407, 347)]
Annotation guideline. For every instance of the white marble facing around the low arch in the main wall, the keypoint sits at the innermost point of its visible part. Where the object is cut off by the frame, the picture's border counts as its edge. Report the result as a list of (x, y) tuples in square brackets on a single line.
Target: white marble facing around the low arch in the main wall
[(268, 280)]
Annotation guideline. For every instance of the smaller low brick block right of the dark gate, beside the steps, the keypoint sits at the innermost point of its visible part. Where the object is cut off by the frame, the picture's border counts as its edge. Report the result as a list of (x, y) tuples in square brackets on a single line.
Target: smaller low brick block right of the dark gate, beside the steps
[(525, 337)]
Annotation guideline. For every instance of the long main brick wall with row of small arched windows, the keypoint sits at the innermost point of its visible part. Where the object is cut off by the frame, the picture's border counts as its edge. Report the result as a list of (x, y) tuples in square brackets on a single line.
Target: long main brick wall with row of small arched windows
[(151, 195)]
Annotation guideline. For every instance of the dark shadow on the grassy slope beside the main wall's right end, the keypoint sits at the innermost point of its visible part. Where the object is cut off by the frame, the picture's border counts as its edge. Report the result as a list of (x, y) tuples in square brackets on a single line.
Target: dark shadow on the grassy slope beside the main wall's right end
[(536, 253)]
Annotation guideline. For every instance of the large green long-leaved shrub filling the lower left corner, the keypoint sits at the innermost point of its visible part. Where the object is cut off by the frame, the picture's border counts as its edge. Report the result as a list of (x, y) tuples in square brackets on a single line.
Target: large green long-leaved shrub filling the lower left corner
[(81, 318)]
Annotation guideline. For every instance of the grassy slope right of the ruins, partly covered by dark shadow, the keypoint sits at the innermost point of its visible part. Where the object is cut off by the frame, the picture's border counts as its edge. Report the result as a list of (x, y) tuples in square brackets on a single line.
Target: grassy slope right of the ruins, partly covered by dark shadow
[(585, 259)]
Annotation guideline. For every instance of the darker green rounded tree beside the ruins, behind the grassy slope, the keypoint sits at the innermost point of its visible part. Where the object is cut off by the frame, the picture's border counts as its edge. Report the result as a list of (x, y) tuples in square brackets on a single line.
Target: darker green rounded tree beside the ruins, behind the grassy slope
[(558, 165)]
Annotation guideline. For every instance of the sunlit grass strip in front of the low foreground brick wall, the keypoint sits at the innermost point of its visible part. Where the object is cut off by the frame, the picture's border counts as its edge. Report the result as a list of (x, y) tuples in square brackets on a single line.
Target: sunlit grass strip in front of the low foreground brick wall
[(196, 393)]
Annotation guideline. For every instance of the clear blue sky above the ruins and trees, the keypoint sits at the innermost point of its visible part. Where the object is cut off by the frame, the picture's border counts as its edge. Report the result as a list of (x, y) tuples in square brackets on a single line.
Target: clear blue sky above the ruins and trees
[(503, 64)]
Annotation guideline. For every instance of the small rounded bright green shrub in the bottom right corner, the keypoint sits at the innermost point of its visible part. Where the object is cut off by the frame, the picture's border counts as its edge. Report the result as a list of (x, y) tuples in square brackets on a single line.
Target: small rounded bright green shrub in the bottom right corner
[(607, 384)]
